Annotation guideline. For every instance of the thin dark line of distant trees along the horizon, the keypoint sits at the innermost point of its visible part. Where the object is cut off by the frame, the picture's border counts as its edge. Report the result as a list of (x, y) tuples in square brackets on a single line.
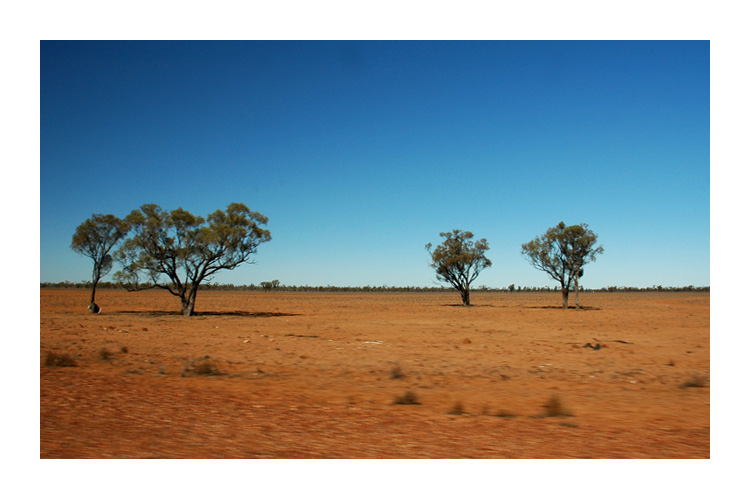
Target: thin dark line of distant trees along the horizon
[(393, 289)]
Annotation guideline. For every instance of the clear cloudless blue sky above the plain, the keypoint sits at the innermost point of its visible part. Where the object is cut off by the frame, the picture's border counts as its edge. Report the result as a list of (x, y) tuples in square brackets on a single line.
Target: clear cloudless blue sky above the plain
[(360, 153)]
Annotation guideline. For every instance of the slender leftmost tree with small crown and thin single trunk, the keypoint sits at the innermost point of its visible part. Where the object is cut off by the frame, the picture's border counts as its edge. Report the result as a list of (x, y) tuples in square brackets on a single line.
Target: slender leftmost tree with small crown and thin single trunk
[(96, 238)]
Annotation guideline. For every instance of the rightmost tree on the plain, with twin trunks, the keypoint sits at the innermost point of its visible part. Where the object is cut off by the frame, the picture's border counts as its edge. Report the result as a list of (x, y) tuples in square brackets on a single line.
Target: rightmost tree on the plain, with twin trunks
[(562, 252)]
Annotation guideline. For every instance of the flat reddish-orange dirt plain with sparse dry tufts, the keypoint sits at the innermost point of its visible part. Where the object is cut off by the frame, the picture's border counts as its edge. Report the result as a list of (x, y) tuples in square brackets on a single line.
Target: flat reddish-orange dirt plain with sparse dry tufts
[(294, 375)]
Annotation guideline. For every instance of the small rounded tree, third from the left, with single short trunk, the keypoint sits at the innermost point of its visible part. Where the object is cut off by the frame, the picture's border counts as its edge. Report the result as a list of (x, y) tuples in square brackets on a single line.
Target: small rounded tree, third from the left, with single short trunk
[(458, 260)]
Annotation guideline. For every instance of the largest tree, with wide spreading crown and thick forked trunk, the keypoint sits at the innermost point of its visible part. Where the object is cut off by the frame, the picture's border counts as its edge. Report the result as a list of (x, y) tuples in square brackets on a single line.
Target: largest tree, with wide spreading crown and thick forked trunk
[(178, 251)]
